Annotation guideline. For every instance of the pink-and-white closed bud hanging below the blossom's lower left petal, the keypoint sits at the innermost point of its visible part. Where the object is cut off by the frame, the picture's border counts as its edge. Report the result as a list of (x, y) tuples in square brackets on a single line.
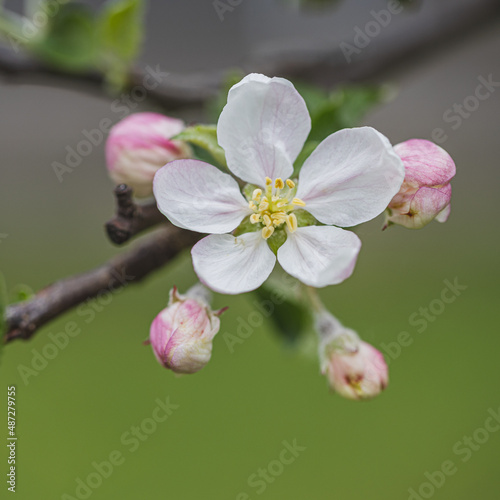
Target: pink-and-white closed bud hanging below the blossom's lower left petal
[(181, 335)]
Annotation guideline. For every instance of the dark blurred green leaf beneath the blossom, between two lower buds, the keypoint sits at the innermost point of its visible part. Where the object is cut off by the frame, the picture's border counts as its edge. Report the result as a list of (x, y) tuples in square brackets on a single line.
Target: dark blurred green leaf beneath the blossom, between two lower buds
[(290, 316)]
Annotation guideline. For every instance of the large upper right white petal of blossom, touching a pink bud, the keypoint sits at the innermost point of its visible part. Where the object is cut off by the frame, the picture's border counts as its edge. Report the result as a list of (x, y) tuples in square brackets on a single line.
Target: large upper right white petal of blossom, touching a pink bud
[(351, 177)]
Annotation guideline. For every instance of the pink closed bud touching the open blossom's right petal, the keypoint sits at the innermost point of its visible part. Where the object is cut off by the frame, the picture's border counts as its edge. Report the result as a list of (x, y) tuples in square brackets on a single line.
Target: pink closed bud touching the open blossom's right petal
[(426, 191)]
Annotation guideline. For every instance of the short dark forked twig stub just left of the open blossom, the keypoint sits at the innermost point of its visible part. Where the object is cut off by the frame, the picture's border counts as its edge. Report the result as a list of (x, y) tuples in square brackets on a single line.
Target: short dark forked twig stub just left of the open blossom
[(131, 219)]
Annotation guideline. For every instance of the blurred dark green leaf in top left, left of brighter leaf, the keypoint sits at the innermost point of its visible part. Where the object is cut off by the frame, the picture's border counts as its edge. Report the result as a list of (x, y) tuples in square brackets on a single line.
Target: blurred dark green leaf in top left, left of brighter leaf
[(70, 40)]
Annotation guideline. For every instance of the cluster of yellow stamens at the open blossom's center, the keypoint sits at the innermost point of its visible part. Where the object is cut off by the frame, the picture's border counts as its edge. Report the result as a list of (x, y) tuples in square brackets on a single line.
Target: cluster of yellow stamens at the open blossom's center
[(273, 207)]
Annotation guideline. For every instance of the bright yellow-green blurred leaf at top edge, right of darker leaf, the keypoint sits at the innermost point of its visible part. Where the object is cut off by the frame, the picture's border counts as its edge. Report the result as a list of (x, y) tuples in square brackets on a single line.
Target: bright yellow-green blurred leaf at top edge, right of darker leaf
[(121, 29)]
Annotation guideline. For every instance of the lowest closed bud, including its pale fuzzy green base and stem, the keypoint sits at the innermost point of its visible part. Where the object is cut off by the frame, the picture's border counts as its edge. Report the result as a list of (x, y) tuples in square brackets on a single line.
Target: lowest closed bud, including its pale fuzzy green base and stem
[(355, 369)]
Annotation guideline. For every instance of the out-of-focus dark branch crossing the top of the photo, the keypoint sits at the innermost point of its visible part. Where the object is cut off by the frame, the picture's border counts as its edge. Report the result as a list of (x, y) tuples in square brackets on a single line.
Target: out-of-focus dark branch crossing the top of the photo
[(321, 65)]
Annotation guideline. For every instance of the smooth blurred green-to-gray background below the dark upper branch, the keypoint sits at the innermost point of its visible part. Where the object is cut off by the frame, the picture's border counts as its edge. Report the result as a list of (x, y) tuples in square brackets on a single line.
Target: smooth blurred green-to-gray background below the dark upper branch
[(233, 416)]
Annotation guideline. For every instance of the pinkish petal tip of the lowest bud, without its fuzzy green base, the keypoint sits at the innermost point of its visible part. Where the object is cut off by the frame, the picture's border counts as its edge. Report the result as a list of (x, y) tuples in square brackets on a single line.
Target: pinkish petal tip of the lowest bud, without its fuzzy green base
[(361, 374)]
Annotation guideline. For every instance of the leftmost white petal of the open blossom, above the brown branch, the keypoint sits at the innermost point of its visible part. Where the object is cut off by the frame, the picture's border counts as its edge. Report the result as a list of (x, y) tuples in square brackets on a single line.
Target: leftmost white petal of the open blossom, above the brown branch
[(197, 196)]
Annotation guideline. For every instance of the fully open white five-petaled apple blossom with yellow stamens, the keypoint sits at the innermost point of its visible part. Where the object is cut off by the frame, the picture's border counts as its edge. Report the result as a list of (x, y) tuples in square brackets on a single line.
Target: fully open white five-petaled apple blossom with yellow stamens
[(349, 179)]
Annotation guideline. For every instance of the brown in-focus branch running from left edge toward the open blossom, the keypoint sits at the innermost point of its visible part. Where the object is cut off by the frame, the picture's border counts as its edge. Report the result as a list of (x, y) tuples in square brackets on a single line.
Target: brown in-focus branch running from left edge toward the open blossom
[(25, 318)]
